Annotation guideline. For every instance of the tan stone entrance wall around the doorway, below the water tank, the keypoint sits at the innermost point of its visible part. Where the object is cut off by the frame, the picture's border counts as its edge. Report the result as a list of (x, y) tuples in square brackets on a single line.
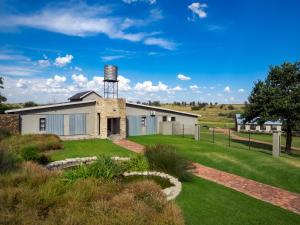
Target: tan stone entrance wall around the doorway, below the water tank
[(110, 108)]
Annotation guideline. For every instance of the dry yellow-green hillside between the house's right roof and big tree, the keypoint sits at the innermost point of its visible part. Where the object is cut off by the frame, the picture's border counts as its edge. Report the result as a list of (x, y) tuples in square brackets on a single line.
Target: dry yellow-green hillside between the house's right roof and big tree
[(212, 115)]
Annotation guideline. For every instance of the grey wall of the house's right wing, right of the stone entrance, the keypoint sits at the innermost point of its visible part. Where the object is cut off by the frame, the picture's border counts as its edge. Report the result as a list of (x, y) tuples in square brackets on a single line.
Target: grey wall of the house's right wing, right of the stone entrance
[(188, 121)]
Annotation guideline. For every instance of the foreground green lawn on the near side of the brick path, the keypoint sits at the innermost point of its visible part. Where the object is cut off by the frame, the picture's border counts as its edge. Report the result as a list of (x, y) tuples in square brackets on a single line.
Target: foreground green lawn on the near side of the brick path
[(207, 203)]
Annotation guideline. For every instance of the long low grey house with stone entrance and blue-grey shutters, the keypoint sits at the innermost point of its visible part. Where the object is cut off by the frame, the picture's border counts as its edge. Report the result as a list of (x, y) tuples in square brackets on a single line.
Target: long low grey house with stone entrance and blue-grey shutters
[(89, 115)]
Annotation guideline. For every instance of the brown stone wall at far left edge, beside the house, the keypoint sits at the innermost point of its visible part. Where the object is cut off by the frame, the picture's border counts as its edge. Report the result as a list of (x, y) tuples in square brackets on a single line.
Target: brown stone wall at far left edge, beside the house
[(10, 122)]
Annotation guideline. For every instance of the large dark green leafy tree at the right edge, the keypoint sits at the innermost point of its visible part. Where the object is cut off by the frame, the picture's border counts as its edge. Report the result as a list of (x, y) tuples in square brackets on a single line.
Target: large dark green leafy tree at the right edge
[(277, 97)]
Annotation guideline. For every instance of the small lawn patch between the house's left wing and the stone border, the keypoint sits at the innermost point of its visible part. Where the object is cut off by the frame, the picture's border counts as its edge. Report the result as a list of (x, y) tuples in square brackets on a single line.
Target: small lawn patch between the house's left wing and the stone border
[(94, 147)]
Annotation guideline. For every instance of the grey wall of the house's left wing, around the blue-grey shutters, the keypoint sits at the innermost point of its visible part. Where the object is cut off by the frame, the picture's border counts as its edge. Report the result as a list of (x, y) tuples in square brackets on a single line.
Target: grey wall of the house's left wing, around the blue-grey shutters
[(30, 120)]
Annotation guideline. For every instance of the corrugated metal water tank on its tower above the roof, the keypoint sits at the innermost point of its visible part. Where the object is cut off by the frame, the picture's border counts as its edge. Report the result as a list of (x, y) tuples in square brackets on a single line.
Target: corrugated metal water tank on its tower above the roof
[(110, 81)]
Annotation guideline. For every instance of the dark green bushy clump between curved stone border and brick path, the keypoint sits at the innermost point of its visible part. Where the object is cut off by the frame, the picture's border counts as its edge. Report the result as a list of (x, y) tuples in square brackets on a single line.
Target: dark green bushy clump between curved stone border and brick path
[(164, 158)]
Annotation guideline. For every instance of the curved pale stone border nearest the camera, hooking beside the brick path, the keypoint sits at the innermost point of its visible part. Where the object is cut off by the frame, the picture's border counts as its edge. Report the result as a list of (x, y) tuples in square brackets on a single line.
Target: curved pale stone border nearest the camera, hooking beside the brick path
[(171, 192)]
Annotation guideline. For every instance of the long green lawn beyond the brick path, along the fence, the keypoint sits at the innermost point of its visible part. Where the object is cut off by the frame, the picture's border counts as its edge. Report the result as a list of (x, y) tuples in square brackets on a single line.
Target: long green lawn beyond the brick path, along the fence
[(283, 172)]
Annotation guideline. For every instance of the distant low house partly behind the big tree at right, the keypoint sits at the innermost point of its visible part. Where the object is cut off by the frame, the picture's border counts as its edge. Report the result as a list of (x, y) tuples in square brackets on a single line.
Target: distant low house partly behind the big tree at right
[(253, 126)]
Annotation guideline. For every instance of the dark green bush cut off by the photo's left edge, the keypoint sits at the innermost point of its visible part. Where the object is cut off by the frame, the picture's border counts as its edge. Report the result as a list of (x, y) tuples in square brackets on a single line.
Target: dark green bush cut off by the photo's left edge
[(8, 160)]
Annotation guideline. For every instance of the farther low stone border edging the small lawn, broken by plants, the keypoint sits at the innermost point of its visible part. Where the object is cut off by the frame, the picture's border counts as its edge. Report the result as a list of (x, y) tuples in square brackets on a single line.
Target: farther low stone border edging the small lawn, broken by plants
[(71, 162)]
